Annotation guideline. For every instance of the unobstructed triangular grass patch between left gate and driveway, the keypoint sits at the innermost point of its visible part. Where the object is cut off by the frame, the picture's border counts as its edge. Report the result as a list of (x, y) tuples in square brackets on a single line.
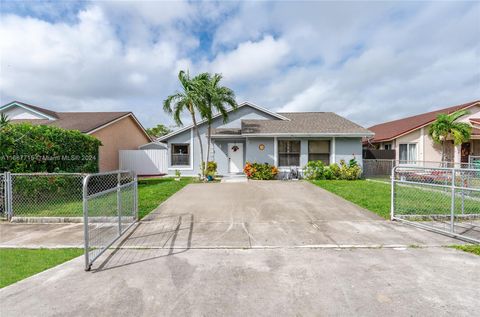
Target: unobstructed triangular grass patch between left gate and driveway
[(153, 191)]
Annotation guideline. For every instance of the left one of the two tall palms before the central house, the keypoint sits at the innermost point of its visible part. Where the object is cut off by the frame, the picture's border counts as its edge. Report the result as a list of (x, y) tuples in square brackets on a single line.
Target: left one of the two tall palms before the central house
[(188, 100)]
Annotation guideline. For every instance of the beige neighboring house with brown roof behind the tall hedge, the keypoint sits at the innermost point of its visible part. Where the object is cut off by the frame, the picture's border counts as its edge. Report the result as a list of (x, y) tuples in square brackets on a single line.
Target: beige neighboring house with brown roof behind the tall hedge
[(116, 130)]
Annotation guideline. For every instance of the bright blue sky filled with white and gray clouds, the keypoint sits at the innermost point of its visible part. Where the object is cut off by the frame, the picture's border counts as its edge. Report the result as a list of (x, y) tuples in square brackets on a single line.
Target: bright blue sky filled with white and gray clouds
[(368, 61)]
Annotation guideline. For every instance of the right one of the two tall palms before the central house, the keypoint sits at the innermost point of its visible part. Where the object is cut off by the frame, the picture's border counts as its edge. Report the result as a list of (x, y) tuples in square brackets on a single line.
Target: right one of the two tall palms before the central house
[(216, 99)]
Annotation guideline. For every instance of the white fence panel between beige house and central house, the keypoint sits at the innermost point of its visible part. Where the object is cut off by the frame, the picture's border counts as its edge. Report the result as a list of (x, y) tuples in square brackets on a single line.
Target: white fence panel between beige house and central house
[(144, 162)]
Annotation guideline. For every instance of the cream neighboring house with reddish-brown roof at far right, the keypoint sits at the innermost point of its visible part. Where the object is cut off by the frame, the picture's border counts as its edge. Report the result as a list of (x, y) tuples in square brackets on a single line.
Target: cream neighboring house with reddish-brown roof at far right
[(410, 139)]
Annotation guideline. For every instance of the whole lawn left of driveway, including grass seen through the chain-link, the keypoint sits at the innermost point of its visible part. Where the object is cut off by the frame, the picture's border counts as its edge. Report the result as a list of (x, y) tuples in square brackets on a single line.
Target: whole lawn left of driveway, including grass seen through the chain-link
[(151, 192)]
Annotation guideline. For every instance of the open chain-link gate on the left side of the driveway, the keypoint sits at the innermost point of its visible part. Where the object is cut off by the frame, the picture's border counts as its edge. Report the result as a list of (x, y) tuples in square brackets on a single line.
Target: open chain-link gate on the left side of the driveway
[(110, 208)]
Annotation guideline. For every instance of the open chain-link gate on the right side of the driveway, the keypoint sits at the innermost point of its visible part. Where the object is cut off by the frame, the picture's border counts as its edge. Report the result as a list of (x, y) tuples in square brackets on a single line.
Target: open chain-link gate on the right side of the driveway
[(446, 200)]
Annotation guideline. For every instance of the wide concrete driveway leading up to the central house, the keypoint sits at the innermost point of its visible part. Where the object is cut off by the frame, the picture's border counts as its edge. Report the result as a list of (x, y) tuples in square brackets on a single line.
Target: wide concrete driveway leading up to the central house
[(260, 248)]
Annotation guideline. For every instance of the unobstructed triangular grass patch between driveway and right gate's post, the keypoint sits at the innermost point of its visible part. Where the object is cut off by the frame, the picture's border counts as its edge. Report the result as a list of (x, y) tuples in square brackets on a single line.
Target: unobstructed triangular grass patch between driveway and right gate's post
[(373, 196)]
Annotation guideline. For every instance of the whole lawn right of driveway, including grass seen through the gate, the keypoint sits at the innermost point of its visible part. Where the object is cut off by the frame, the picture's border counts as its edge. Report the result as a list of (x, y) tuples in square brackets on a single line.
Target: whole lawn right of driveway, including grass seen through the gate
[(410, 200)]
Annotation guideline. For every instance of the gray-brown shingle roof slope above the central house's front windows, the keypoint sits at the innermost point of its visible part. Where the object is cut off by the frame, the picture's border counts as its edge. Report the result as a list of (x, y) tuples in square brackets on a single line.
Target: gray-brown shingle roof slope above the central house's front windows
[(304, 122)]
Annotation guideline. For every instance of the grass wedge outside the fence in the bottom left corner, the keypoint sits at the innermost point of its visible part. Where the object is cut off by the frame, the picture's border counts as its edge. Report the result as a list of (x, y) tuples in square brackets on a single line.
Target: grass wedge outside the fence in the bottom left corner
[(17, 264)]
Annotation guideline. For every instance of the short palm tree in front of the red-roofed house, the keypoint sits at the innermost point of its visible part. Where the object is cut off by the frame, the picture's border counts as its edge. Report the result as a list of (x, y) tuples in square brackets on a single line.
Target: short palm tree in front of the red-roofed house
[(445, 126)]
